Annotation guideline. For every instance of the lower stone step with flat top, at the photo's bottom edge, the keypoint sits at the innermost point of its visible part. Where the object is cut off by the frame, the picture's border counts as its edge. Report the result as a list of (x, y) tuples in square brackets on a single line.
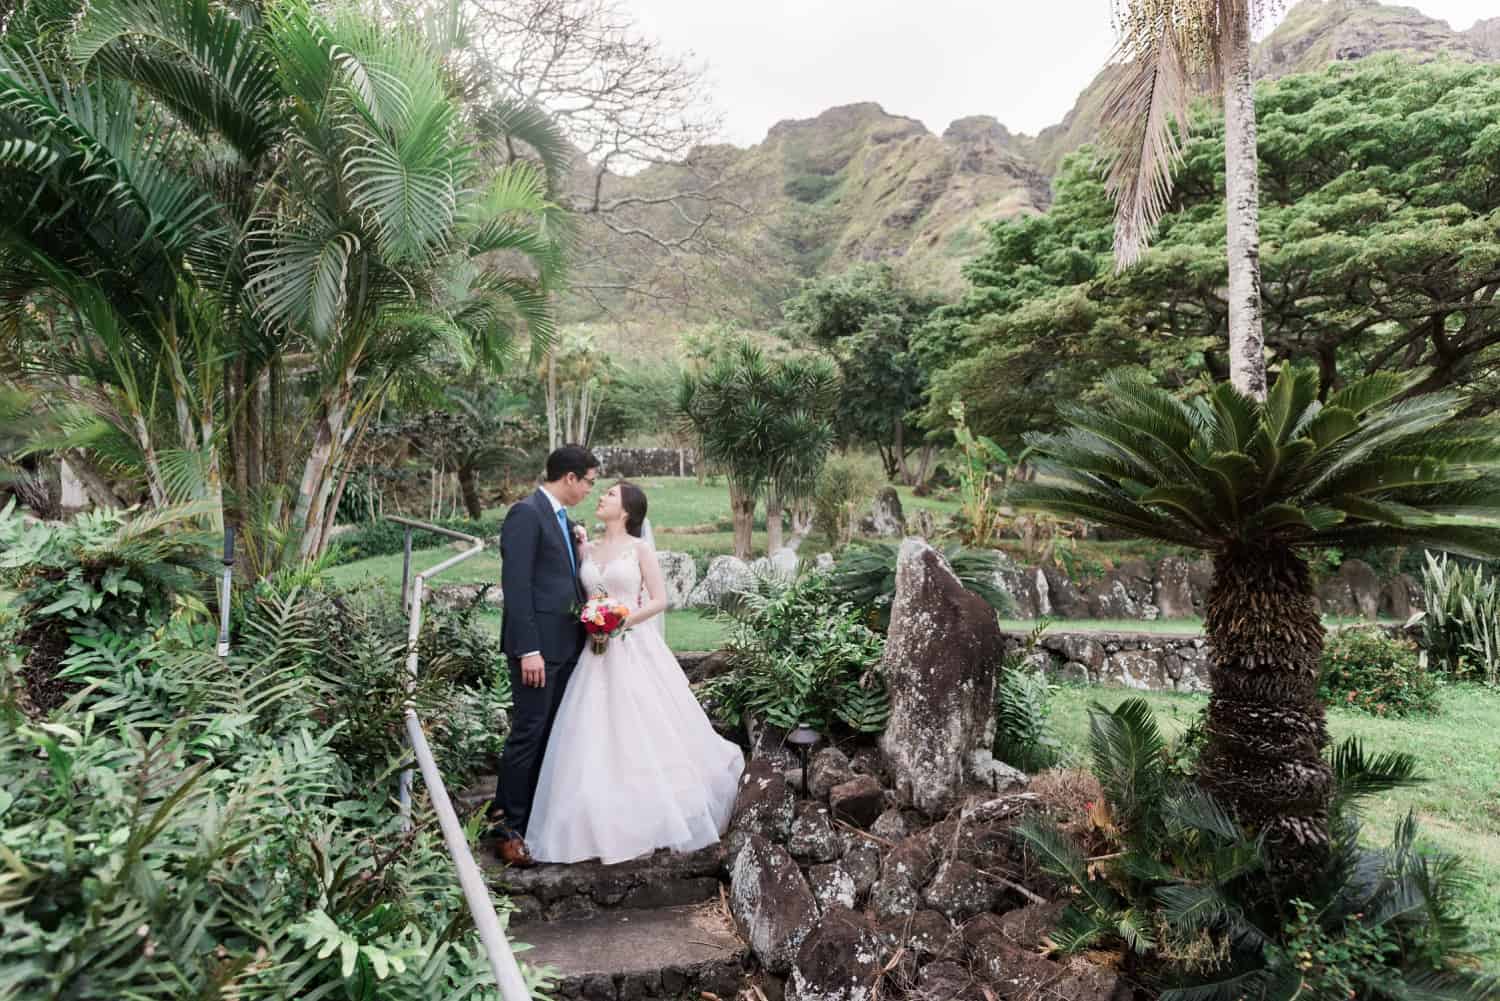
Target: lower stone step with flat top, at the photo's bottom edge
[(674, 952)]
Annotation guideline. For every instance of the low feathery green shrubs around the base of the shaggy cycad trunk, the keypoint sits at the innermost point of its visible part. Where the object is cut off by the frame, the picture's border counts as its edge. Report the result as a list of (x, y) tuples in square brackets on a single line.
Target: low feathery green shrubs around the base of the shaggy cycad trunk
[(1172, 879)]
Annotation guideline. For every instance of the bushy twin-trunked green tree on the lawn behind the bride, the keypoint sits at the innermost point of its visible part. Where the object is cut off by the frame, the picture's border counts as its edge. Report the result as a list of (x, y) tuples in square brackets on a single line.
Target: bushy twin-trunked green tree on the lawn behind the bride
[(767, 424)]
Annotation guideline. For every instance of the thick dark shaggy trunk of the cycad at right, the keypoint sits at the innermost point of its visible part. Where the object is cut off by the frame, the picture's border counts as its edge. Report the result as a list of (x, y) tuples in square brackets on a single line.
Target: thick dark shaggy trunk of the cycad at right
[(1267, 732)]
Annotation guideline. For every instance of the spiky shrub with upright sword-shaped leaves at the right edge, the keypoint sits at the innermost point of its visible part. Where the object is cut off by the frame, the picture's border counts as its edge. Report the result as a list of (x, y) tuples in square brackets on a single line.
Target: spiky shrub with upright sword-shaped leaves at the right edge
[(1462, 624)]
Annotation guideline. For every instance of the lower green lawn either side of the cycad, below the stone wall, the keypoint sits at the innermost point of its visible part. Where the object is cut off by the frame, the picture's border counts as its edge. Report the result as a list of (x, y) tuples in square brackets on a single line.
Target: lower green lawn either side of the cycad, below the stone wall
[(1459, 753)]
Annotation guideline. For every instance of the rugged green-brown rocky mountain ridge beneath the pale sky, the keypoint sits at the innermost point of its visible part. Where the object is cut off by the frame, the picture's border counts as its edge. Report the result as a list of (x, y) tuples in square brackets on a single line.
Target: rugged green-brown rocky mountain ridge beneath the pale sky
[(859, 184)]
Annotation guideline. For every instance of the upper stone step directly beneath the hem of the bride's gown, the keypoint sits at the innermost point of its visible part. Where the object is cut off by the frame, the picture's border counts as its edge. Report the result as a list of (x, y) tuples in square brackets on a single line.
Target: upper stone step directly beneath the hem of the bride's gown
[(556, 892)]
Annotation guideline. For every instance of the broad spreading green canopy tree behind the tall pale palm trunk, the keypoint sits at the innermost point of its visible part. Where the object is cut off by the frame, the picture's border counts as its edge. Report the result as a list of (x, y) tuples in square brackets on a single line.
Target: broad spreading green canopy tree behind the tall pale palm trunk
[(1382, 253)]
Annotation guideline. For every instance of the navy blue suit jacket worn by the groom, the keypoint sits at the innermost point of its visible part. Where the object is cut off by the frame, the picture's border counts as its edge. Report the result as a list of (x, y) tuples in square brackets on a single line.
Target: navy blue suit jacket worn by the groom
[(541, 589)]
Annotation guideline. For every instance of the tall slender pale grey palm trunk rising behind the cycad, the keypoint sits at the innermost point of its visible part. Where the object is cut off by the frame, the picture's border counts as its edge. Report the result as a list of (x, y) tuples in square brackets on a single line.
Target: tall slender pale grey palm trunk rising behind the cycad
[(1247, 346)]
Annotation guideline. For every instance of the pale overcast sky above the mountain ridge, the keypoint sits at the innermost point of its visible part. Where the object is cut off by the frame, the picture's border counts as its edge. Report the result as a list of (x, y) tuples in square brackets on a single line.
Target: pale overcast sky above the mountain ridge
[(1019, 61)]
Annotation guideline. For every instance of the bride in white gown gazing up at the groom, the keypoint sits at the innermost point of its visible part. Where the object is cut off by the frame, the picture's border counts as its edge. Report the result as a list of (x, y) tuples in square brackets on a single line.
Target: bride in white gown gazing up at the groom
[(634, 763)]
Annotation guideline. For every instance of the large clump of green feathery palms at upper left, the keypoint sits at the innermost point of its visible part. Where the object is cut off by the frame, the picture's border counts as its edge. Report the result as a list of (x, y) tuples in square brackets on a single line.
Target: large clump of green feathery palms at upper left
[(253, 227)]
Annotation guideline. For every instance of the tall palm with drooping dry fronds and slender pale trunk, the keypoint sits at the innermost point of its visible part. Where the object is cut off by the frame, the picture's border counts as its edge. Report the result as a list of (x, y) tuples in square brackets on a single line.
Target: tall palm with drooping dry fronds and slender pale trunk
[(1166, 49)]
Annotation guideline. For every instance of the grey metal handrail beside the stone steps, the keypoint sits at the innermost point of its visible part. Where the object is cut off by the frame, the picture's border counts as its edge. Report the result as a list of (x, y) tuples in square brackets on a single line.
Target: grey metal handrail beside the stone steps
[(502, 961)]
